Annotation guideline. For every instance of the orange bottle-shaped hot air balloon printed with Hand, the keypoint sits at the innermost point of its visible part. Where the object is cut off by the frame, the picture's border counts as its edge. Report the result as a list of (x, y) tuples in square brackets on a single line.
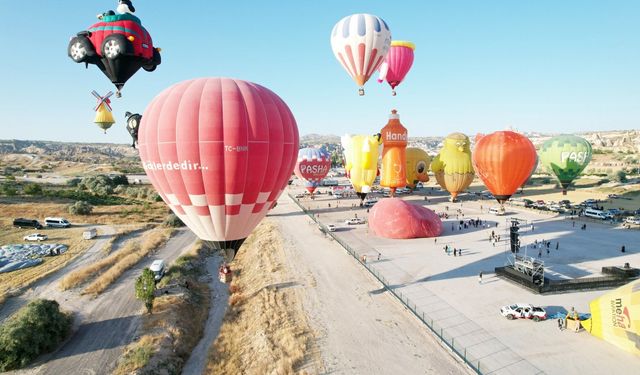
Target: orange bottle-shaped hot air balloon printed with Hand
[(394, 160)]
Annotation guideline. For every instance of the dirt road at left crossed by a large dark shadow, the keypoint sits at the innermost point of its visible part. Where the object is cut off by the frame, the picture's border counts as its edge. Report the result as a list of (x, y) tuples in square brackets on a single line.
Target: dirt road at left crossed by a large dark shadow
[(105, 324)]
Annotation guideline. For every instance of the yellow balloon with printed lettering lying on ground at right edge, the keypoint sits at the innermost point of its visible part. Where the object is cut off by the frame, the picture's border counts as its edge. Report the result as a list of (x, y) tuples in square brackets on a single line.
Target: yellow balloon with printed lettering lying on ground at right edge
[(615, 317)]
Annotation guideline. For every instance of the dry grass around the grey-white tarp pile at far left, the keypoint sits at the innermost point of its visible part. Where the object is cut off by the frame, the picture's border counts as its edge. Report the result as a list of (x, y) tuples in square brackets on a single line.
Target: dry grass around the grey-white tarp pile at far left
[(13, 282)]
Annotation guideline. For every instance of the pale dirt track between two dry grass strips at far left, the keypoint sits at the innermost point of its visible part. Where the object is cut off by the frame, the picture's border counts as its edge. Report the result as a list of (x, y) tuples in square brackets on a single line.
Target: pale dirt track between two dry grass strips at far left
[(48, 287)]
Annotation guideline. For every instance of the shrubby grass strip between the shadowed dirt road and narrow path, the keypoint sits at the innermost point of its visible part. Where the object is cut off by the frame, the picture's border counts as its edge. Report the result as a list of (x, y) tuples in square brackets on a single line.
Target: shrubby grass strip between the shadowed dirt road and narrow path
[(178, 318)]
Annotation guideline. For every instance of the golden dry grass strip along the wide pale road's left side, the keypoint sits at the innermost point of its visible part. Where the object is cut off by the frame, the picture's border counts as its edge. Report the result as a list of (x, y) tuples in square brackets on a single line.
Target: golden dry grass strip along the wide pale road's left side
[(265, 330)]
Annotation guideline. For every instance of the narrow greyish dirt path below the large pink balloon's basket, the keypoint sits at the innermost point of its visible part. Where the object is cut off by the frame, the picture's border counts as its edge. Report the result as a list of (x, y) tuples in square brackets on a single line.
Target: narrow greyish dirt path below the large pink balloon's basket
[(219, 297)]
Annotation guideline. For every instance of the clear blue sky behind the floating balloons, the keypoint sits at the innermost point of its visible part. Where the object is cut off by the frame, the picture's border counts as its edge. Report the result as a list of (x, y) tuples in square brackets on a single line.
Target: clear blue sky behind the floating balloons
[(480, 66)]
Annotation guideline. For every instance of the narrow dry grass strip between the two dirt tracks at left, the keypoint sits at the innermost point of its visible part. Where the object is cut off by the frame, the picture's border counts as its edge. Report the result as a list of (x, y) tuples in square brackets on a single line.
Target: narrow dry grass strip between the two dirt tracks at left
[(123, 260)]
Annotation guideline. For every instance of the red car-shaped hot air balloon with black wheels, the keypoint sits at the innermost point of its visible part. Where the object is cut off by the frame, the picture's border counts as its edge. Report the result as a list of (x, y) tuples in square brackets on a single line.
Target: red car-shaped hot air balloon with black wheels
[(118, 45)]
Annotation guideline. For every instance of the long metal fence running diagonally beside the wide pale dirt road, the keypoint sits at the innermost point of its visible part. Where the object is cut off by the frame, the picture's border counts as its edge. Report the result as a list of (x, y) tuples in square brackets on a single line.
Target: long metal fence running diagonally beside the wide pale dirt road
[(448, 340)]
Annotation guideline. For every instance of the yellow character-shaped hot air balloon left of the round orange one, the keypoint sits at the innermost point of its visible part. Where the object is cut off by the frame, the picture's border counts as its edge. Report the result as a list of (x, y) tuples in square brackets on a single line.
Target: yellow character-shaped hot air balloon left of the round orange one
[(452, 167)]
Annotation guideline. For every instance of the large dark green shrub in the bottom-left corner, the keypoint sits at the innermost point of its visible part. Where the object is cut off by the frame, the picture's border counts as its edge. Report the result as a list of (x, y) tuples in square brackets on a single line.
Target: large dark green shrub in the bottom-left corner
[(35, 329)]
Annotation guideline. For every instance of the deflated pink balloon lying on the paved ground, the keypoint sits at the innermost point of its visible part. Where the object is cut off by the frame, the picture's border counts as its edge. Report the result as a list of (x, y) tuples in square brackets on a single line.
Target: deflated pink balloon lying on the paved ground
[(397, 219)]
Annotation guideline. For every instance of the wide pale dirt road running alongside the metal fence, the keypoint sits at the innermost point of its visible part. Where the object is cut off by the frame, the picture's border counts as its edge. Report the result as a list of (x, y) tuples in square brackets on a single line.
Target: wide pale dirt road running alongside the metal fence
[(361, 329)]
